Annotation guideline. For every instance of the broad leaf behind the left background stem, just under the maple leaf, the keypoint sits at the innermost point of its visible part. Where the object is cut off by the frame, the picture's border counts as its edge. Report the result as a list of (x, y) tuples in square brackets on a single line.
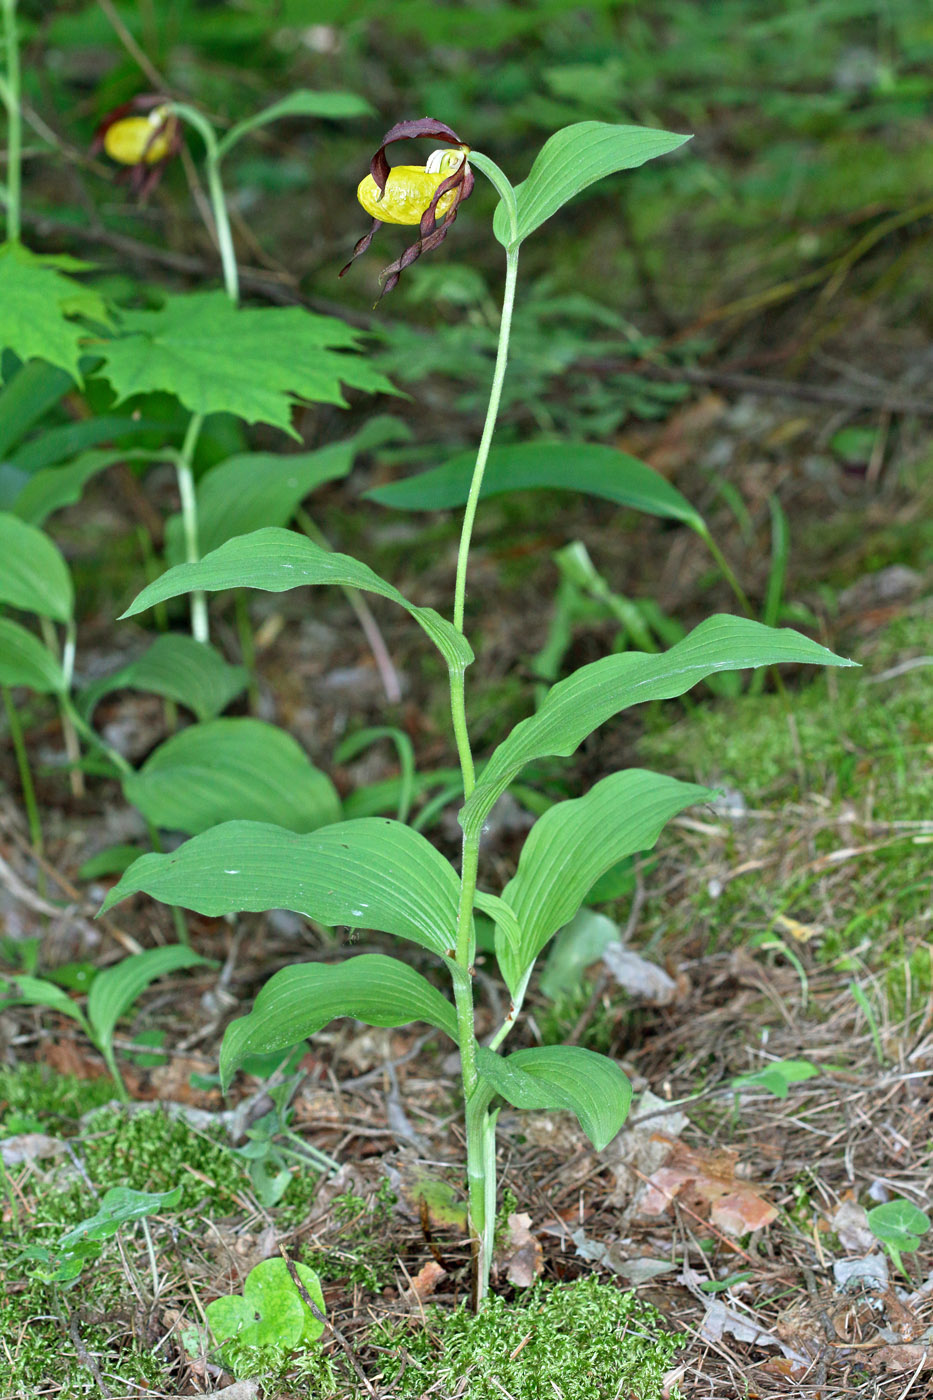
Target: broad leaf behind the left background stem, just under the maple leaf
[(253, 491)]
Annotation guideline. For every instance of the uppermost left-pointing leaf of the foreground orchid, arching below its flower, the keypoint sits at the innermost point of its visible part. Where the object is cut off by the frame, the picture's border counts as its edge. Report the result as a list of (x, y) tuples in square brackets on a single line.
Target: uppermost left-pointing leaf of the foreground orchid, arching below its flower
[(277, 561)]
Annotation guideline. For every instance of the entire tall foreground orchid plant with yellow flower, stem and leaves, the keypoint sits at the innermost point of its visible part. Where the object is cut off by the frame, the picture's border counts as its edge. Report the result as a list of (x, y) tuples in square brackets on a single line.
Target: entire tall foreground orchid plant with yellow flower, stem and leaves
[(380, 874)]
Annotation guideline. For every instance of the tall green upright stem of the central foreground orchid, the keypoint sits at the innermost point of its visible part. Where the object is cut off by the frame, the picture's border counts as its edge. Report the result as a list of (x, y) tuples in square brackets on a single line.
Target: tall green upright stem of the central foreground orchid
[(481, 1123)]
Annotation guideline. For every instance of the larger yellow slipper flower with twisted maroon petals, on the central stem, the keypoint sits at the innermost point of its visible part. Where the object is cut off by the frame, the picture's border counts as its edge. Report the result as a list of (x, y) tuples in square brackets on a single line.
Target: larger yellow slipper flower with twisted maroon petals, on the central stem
[(427, 195)]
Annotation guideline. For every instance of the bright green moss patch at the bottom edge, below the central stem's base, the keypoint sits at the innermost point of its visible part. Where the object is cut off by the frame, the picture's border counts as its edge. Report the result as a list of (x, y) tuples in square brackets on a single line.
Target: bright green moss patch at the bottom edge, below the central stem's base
[(586, 1342)]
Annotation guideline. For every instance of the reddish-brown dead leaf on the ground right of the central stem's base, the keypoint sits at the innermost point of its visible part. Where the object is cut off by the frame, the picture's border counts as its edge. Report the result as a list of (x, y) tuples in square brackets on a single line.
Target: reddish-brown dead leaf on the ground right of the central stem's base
[(708, 1185)]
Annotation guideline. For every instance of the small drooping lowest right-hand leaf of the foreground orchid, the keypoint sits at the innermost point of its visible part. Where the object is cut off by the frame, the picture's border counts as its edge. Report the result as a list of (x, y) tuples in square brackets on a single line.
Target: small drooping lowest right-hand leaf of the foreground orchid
[(562, 1077)]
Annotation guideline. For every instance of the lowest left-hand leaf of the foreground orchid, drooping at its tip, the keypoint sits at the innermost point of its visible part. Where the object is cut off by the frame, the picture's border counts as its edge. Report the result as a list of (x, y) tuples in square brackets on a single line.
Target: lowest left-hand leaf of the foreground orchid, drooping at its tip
[(300, 1000)]
